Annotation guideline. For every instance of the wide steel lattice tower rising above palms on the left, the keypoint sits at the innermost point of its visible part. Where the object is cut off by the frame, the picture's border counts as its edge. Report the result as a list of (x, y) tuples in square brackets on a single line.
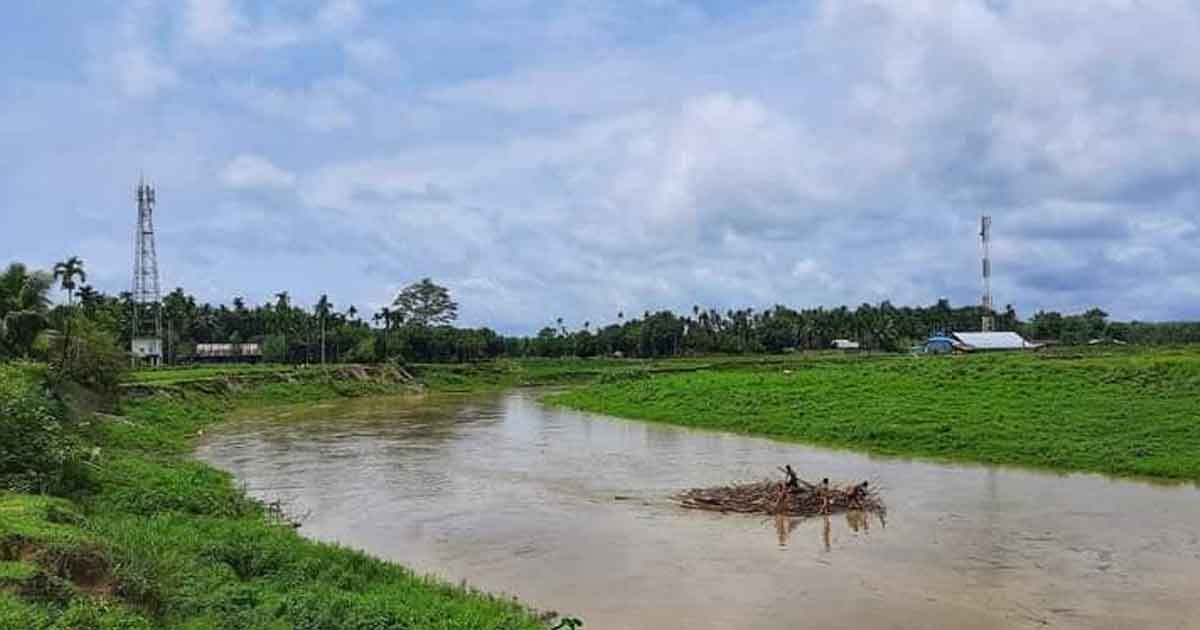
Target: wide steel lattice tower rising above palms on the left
[(146, 343)]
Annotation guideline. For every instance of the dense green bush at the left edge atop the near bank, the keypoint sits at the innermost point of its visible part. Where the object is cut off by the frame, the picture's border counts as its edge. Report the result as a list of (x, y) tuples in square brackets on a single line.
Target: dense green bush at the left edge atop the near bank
[(37, 452)]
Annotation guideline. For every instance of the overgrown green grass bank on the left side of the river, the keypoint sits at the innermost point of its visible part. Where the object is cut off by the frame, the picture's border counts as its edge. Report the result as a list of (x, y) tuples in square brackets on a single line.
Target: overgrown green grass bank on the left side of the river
[(151, 539)]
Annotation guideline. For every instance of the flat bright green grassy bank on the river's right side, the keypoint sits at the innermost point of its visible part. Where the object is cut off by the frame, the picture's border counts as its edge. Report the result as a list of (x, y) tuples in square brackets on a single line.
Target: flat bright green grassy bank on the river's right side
[(1126, 413)]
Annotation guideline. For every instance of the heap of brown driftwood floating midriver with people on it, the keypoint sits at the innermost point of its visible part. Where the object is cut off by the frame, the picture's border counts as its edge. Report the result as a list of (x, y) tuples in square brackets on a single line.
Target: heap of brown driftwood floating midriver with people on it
[(791, 497)]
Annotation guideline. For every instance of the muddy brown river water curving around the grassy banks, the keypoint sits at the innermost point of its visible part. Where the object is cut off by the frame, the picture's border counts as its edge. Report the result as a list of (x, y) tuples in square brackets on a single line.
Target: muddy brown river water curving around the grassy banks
[(572, 512)]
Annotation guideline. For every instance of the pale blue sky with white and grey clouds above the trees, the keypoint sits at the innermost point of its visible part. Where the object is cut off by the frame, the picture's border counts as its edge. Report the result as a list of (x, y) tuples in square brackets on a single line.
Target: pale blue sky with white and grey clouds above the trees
[(575, 160)]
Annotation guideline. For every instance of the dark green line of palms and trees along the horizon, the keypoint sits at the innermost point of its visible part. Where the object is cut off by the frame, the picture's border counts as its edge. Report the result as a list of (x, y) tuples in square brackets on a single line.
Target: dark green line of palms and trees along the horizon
[(418, 327)]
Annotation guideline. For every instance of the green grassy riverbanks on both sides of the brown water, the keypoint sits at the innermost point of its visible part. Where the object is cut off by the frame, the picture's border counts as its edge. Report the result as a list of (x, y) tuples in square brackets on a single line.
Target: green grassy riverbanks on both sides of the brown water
[(122, 529)]
